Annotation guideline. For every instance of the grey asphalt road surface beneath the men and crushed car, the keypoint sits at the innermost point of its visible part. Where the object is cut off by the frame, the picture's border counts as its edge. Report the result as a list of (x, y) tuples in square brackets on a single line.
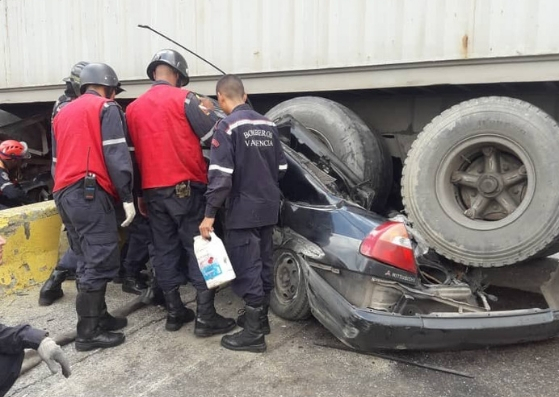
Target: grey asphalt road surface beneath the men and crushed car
[(154, 362)]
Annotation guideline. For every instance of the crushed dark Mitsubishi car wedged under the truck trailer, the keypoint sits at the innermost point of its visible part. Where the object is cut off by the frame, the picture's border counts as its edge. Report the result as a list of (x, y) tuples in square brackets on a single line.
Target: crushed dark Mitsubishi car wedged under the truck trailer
[(371, 280)]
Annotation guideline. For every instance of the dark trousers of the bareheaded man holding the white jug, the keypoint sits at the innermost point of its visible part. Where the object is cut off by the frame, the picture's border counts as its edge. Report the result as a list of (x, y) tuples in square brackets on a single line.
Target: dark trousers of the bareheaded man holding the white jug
[(250, 252)]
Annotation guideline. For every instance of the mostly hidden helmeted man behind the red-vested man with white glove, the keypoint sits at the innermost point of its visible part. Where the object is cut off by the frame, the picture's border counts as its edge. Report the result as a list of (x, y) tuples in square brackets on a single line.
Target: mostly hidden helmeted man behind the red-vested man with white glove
[(66, 267)]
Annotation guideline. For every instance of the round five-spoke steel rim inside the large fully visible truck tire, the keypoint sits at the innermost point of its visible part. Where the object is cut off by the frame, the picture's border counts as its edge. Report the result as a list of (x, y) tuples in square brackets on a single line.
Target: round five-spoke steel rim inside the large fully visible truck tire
[(485, 182)]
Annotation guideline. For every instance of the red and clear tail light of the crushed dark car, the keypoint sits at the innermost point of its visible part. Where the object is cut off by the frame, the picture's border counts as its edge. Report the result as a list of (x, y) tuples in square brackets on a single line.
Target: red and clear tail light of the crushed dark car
[(390, 243)]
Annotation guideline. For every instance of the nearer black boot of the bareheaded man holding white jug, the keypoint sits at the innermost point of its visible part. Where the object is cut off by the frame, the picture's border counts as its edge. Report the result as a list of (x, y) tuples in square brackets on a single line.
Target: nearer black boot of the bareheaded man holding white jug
[(251, 338)]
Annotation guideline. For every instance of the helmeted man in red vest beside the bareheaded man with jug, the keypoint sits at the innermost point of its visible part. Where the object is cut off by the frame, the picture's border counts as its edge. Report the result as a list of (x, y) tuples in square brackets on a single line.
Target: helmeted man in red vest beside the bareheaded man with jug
[(166, 125)]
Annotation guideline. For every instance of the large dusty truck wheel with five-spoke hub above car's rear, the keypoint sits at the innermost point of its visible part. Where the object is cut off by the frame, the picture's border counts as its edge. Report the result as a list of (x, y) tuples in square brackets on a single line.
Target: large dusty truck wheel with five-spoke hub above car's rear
[(481, 184)]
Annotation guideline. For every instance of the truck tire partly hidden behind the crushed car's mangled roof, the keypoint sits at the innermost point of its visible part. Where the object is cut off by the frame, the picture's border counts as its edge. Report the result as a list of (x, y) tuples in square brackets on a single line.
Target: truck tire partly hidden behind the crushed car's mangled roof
[(362, 149)]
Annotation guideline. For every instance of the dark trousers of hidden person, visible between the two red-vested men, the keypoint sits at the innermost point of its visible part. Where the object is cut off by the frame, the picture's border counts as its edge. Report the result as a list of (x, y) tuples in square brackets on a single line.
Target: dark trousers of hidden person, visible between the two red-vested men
[(140, 246)]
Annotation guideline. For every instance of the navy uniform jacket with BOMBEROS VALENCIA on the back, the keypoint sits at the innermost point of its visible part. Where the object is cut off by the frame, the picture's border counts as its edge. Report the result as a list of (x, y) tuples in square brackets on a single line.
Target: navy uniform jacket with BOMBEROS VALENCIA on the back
[(246, 163)]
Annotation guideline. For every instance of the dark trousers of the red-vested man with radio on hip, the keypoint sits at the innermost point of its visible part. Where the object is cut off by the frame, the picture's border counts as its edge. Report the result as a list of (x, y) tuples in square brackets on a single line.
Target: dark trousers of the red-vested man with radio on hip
[(92, 232)]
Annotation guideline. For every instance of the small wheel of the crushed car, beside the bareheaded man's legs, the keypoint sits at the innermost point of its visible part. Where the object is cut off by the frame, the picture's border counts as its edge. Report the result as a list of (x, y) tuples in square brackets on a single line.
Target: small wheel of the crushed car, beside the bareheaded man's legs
[(289, 298)]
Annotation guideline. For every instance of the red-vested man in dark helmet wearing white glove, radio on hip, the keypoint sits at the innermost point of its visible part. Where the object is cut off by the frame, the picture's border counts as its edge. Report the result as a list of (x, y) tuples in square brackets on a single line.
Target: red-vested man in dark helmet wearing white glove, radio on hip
[(93, 170)]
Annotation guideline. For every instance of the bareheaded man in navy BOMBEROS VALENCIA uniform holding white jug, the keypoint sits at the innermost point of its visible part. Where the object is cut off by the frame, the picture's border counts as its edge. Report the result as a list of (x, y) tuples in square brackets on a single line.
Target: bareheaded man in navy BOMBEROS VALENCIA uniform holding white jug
[(246, 163)]
